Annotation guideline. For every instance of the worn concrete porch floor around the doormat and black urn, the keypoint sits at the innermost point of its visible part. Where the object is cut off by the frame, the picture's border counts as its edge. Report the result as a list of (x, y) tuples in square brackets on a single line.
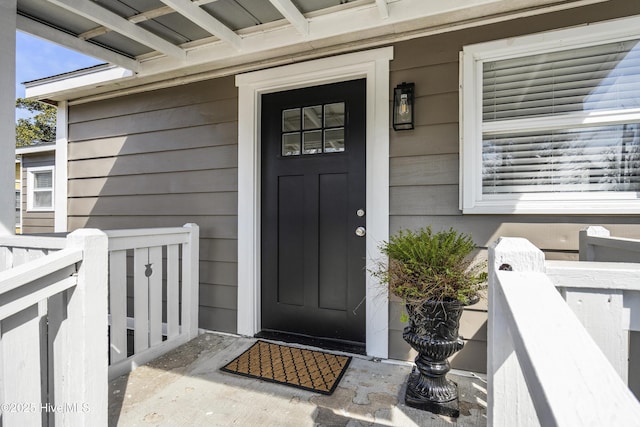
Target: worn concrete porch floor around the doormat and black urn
[(186, 388)]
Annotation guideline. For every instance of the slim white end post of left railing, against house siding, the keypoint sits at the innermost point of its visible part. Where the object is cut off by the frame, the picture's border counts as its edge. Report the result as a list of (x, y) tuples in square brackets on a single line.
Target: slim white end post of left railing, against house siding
[(191, 281)]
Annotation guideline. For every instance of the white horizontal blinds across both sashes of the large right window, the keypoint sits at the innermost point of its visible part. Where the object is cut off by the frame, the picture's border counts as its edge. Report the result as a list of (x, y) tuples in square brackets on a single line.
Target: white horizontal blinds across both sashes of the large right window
[(584, 159)]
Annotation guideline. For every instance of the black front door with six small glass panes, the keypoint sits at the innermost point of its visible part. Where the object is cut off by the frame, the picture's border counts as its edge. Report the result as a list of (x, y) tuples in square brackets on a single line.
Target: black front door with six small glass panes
[(313, 201)]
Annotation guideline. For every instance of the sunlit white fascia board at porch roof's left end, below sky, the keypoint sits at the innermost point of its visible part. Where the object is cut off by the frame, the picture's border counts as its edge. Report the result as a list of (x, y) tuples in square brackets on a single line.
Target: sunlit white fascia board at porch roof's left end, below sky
[(48, 88)]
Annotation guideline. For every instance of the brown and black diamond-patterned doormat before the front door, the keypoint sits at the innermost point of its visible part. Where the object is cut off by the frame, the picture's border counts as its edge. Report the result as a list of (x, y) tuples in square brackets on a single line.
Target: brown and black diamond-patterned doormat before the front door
[(306, 369)]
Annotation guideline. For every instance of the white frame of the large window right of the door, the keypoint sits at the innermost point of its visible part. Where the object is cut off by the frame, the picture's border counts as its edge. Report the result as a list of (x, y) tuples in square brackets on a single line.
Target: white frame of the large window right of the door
[(472, 200)]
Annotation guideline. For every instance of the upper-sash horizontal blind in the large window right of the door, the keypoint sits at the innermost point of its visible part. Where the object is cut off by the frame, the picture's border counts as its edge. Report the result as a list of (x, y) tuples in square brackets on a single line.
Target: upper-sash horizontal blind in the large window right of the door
[(595, 78)]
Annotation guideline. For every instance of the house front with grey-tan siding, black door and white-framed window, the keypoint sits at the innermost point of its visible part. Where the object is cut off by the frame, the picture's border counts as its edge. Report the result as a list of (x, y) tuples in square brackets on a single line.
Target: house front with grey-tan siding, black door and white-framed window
[(527, 123)]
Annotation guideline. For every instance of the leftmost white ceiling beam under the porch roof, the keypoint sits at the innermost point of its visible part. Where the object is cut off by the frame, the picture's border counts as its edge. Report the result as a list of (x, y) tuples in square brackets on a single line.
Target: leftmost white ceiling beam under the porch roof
[(46, 32)]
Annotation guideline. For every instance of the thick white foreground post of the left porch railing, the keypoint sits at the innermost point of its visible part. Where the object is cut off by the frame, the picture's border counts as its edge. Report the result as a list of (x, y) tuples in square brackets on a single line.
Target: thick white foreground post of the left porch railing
[(81, 365)]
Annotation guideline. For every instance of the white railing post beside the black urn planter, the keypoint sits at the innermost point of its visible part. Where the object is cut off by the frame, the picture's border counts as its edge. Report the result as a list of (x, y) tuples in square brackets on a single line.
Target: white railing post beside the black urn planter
[(508, 399)]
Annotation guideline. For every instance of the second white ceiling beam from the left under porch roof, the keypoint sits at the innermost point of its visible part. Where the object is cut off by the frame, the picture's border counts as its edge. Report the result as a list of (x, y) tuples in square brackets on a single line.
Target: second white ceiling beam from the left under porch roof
[(102, 16)]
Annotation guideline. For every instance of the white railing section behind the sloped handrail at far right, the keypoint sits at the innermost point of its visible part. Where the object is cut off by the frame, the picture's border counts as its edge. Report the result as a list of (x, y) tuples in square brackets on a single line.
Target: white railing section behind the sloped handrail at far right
[(605, 296)]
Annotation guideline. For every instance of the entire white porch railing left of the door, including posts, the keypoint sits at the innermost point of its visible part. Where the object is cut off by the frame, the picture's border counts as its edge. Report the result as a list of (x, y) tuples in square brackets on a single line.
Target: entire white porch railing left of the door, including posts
[(56, 306)]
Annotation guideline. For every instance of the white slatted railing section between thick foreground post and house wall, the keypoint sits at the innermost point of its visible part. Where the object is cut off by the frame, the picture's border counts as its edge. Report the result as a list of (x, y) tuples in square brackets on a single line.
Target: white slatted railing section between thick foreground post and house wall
[(144, 266)]
